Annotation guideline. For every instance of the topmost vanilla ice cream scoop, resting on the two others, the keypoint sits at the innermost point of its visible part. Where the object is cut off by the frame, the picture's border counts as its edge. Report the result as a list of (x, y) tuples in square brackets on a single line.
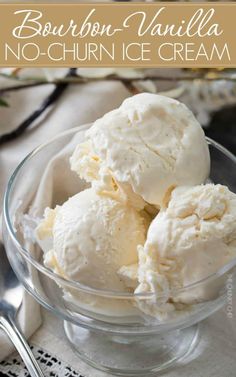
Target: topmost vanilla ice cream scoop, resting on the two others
[(149, 144)]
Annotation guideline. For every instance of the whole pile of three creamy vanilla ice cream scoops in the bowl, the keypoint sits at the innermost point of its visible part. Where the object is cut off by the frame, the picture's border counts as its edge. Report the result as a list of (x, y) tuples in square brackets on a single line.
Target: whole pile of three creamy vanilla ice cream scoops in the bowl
[(148, 154)]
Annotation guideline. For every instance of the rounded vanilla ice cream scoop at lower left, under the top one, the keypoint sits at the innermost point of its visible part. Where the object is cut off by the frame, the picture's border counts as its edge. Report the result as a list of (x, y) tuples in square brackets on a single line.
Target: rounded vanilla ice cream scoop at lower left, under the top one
[(92, 238)]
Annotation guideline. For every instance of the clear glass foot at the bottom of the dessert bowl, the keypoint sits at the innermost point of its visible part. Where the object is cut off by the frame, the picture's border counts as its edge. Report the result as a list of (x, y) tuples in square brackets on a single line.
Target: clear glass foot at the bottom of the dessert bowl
[(131, 355)]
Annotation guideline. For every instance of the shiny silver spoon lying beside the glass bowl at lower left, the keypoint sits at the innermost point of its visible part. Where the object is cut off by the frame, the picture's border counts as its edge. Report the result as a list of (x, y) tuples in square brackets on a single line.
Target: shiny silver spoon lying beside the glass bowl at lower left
[(11, 295)]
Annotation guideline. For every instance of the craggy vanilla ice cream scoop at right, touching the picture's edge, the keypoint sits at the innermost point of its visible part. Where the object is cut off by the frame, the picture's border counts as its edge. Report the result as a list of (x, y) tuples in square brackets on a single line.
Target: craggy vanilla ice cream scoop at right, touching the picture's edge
[(188, 241)]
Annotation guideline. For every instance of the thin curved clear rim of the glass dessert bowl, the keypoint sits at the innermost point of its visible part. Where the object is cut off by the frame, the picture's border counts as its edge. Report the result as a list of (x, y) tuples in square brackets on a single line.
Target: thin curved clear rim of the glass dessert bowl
[(75, 284)]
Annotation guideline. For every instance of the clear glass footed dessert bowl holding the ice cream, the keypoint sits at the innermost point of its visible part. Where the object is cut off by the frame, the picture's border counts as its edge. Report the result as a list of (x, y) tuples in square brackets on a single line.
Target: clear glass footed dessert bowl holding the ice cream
[(107, 328)]
